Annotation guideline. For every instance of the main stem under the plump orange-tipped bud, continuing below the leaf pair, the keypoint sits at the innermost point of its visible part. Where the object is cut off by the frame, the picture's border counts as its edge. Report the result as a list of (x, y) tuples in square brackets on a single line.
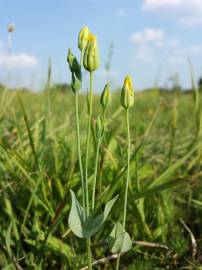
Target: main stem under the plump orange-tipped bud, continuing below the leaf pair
[(86, 164)]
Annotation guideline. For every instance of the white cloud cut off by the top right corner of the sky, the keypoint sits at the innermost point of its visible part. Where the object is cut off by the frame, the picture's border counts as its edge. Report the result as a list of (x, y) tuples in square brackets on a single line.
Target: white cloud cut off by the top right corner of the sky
[(187, 12)]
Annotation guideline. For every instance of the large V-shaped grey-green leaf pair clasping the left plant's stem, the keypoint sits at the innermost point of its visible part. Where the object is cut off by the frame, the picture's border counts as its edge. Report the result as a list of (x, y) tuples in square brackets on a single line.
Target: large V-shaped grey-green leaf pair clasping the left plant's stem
[(87, 227)]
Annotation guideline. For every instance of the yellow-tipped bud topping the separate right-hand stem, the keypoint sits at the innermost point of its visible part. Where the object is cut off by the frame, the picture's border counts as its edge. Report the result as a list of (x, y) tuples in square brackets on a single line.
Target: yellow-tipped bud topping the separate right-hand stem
[(127, 93)]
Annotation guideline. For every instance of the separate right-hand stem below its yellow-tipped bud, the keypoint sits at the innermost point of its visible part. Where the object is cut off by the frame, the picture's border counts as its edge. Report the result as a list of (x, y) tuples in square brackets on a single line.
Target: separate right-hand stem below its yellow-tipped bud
[(127, 182)]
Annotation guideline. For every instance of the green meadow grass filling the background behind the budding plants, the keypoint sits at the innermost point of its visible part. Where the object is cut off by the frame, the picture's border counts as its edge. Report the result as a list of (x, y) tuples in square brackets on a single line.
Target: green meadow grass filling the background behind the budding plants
[(39, 164)]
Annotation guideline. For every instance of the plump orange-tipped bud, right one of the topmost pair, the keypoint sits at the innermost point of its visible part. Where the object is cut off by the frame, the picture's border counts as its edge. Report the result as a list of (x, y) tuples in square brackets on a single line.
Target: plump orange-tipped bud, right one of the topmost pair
[(91, 55)]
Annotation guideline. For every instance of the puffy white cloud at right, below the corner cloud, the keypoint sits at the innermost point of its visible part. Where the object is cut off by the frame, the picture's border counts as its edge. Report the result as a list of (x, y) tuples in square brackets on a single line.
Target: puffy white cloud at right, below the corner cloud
[(153, 45)]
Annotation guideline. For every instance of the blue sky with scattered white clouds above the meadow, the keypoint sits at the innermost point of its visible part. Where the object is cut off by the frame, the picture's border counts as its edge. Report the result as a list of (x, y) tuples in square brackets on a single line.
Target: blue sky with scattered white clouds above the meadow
[(152, 40)]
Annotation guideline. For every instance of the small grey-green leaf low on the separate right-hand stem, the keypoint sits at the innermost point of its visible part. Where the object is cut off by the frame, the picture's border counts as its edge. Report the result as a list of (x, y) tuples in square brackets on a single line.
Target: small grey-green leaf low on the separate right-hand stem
[(119, 240)]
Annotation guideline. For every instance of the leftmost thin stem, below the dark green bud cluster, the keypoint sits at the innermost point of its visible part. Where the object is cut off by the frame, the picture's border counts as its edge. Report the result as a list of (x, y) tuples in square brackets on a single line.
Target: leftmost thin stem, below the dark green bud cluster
[(79, 149)]
